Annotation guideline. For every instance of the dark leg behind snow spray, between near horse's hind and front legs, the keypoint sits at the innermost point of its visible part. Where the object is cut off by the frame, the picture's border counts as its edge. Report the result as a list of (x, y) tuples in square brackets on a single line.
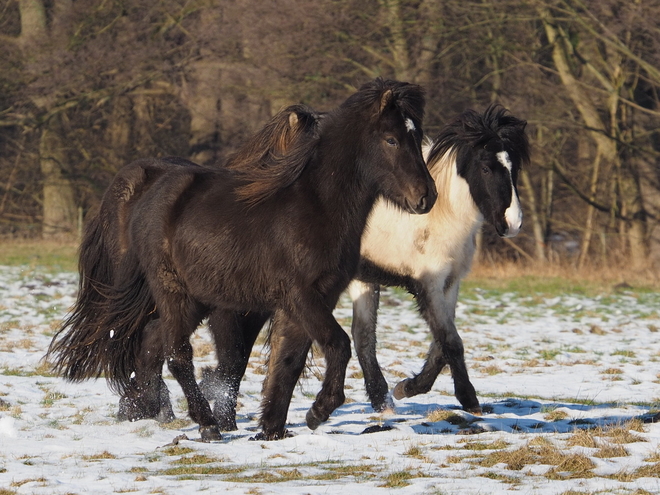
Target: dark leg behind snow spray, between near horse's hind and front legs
[(234, 335)]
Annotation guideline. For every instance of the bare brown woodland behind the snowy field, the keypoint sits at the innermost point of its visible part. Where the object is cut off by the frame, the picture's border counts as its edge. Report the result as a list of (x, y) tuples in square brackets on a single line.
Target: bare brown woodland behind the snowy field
[(88, 85)]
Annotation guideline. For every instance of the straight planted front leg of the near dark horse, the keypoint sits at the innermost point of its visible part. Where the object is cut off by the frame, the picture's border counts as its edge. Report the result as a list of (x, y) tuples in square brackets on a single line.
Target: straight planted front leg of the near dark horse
[(289, 345)]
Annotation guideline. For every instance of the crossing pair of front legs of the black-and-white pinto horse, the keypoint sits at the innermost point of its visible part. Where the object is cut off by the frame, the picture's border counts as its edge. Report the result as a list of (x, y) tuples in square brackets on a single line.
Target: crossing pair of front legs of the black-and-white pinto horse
[(438, 308)]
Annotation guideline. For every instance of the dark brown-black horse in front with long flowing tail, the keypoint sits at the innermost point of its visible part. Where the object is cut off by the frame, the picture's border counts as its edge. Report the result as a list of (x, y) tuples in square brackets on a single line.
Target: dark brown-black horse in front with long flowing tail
[(277, 234)]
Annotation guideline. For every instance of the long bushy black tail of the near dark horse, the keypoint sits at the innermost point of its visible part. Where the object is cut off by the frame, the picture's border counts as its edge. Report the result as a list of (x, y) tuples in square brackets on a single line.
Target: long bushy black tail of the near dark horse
[(102, 334)]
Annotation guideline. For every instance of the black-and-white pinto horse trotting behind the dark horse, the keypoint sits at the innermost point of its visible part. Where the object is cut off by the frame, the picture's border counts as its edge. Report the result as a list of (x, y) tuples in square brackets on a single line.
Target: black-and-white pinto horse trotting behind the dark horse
[(474, 162)]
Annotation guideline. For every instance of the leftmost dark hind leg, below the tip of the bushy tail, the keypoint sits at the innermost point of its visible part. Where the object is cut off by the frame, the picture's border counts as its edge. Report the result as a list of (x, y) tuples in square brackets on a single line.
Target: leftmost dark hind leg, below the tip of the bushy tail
[(147, 397)]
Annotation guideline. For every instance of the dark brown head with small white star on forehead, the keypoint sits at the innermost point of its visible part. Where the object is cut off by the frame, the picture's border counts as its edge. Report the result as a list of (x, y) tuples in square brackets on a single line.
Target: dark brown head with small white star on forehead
[(394, 133)]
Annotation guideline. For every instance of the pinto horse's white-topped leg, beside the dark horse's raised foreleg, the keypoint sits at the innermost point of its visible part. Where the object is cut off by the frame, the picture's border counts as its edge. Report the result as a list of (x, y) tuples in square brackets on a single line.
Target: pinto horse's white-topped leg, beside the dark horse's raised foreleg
[(365, 312)]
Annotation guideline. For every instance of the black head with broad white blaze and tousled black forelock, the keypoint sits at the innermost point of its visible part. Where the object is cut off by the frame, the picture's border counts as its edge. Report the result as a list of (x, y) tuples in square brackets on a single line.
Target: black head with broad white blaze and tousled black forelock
[(490, 149)]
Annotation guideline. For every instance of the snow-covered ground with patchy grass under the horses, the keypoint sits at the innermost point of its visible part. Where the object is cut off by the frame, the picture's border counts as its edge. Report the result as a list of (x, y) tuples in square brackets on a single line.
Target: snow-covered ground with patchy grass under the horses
[(543, 369)]
